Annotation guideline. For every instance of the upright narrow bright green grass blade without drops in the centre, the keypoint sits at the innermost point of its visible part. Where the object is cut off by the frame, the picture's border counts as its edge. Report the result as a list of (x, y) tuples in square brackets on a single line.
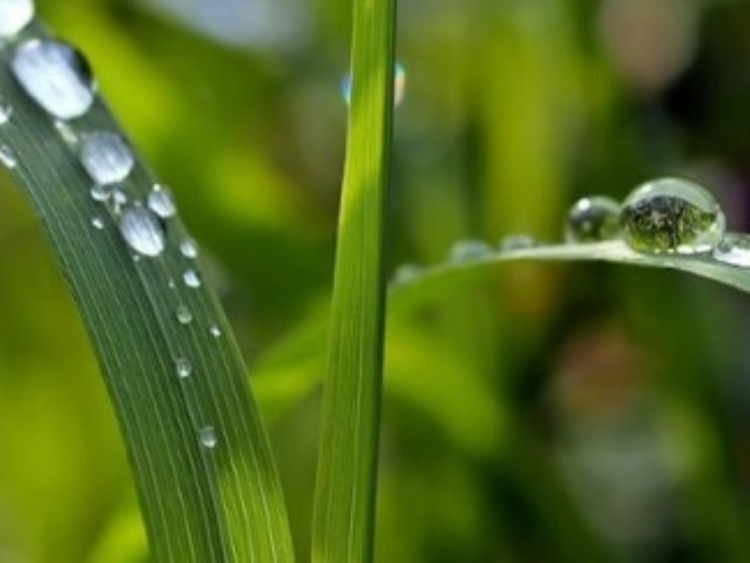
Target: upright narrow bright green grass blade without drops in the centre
[(347, 473)]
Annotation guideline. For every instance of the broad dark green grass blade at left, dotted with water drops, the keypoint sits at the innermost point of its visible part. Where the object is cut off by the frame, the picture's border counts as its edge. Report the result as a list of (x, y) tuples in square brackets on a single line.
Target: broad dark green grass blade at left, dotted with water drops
[(200, 503)]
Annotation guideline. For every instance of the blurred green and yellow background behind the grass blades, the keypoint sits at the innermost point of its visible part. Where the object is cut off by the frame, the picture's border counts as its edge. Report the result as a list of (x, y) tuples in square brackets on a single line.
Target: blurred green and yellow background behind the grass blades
[(541, 414)]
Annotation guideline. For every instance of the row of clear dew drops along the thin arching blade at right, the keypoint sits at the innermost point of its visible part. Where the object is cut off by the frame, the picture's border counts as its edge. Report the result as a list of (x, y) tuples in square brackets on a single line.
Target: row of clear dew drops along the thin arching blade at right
[(666, 216)]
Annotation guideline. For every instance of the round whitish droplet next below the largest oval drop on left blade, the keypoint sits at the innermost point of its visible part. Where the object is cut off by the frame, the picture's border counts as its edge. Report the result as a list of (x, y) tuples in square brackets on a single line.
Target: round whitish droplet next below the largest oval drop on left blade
[(106, 157)]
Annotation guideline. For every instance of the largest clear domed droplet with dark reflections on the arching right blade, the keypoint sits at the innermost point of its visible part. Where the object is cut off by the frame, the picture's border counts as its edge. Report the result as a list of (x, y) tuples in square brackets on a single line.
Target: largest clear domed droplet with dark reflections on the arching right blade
[(672, 215)]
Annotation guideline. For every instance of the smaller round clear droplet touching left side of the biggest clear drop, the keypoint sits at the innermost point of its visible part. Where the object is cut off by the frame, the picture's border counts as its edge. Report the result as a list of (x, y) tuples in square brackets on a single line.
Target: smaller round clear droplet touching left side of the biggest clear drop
[(593, 219)]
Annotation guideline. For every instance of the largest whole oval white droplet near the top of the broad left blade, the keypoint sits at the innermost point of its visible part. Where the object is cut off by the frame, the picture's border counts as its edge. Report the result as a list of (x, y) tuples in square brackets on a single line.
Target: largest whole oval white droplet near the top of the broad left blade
[(56, 76)]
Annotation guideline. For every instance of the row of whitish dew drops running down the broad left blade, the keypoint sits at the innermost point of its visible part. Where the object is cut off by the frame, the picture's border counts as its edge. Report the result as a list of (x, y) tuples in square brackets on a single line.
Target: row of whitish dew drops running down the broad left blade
[(59, 80)]
